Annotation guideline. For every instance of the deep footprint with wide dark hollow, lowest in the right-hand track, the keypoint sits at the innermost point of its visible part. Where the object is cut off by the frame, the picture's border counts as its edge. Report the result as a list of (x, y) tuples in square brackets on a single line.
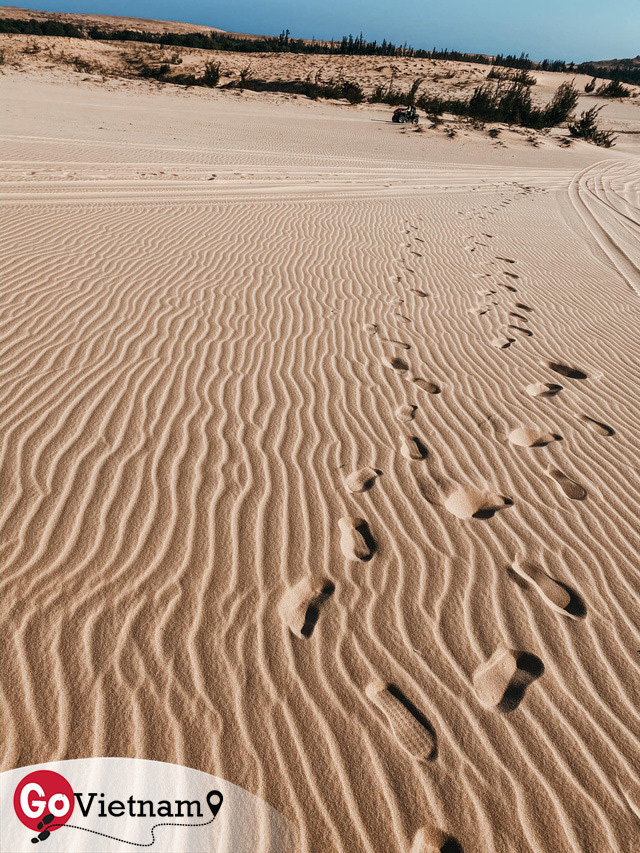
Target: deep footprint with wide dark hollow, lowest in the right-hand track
[(501, 681)]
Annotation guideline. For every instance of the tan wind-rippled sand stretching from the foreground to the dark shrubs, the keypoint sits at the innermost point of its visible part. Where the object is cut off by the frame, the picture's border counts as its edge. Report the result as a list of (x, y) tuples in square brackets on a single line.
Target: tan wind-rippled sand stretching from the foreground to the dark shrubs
[(275, 505)]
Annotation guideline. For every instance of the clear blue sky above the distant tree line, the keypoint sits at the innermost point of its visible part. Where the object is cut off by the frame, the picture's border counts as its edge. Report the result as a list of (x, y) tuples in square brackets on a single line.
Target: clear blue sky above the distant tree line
[(563, 29)]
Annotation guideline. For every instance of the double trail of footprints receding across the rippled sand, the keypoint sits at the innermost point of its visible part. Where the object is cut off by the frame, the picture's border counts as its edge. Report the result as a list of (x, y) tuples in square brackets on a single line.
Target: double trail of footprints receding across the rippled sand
[(501, 681)]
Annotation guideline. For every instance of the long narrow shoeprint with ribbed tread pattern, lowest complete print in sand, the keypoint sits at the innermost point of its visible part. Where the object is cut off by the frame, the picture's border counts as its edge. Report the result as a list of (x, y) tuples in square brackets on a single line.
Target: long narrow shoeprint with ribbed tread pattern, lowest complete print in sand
[(409, 725)]
